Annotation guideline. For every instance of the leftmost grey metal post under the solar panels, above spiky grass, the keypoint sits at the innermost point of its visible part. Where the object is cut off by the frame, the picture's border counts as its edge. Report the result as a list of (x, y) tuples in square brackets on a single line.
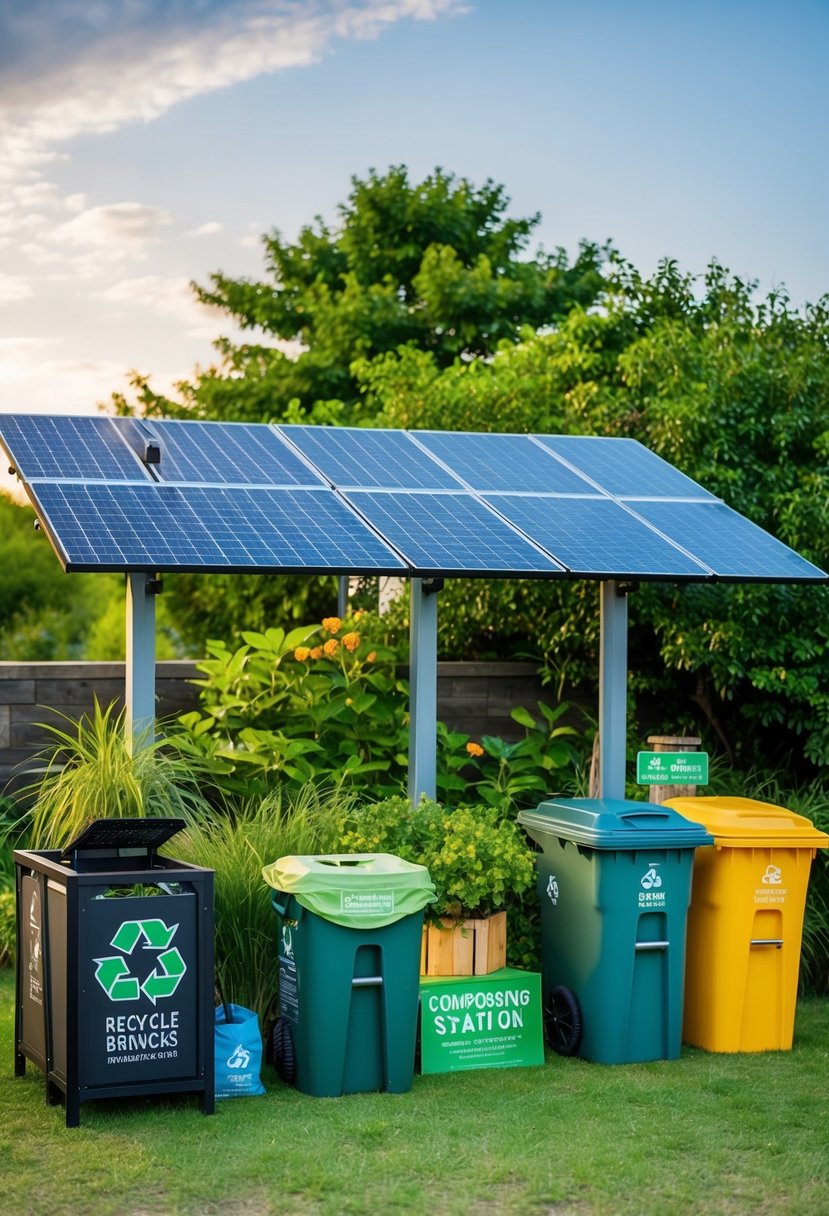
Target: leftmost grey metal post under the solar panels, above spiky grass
[(140, 677)]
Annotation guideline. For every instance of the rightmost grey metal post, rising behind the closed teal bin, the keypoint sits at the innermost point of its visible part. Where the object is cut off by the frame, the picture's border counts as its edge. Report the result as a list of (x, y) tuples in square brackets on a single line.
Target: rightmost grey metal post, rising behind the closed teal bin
[(613, 691)]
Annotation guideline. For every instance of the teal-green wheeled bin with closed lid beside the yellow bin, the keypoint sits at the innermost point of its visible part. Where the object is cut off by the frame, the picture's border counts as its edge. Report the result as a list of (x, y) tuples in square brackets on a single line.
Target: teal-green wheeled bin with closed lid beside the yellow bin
[(614, 887)]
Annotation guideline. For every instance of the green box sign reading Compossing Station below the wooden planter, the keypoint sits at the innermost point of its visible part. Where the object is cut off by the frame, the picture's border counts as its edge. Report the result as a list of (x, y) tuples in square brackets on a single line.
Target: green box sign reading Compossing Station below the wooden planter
[(481, 1021)]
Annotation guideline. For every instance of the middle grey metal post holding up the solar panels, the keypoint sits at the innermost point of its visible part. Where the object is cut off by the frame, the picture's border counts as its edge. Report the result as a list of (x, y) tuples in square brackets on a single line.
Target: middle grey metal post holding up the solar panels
[(424, 689)]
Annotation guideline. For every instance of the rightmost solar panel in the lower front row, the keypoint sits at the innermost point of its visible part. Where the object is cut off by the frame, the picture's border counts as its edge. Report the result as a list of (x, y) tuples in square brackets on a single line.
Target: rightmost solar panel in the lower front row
[(729, 543)]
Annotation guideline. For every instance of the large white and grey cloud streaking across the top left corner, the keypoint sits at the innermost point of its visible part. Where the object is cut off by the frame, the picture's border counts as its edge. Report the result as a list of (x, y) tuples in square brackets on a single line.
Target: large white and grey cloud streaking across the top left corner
[(74, 70)]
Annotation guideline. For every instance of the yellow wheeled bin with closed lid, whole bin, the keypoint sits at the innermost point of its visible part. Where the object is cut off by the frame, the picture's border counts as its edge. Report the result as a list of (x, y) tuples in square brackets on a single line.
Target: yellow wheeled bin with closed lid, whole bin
[(746, 924)]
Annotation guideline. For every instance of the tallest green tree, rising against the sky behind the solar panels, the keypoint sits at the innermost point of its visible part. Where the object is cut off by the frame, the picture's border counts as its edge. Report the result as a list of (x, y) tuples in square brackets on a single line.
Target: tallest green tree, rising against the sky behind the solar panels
[(435, 266)]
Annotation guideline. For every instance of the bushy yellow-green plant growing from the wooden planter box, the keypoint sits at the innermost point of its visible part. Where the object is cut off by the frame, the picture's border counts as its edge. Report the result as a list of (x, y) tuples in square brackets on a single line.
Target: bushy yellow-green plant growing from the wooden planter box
[(476, 855)]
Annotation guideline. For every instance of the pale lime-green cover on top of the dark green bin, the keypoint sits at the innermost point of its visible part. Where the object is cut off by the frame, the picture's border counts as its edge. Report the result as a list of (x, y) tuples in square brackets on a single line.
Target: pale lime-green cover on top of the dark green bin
[(362, 891)]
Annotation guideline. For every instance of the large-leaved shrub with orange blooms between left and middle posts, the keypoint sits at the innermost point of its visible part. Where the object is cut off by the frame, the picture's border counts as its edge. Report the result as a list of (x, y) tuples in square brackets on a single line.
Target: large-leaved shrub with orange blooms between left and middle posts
[(318, 703)]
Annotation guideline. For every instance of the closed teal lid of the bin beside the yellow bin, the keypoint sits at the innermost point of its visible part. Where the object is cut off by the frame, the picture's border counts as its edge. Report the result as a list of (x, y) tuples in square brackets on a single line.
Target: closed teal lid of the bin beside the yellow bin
[(613, 824)]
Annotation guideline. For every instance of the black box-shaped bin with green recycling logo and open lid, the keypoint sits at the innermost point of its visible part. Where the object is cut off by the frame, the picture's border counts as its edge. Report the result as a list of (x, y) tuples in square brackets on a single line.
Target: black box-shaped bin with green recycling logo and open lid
[(115, 967)]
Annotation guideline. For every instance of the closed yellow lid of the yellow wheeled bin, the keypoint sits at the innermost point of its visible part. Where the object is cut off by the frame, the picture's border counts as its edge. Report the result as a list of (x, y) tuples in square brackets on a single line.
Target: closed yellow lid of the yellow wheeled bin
[(745, 823)]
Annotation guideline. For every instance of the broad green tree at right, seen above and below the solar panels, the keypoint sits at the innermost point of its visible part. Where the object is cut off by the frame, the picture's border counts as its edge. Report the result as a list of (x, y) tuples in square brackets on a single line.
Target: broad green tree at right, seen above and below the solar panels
[(734, 392)]
